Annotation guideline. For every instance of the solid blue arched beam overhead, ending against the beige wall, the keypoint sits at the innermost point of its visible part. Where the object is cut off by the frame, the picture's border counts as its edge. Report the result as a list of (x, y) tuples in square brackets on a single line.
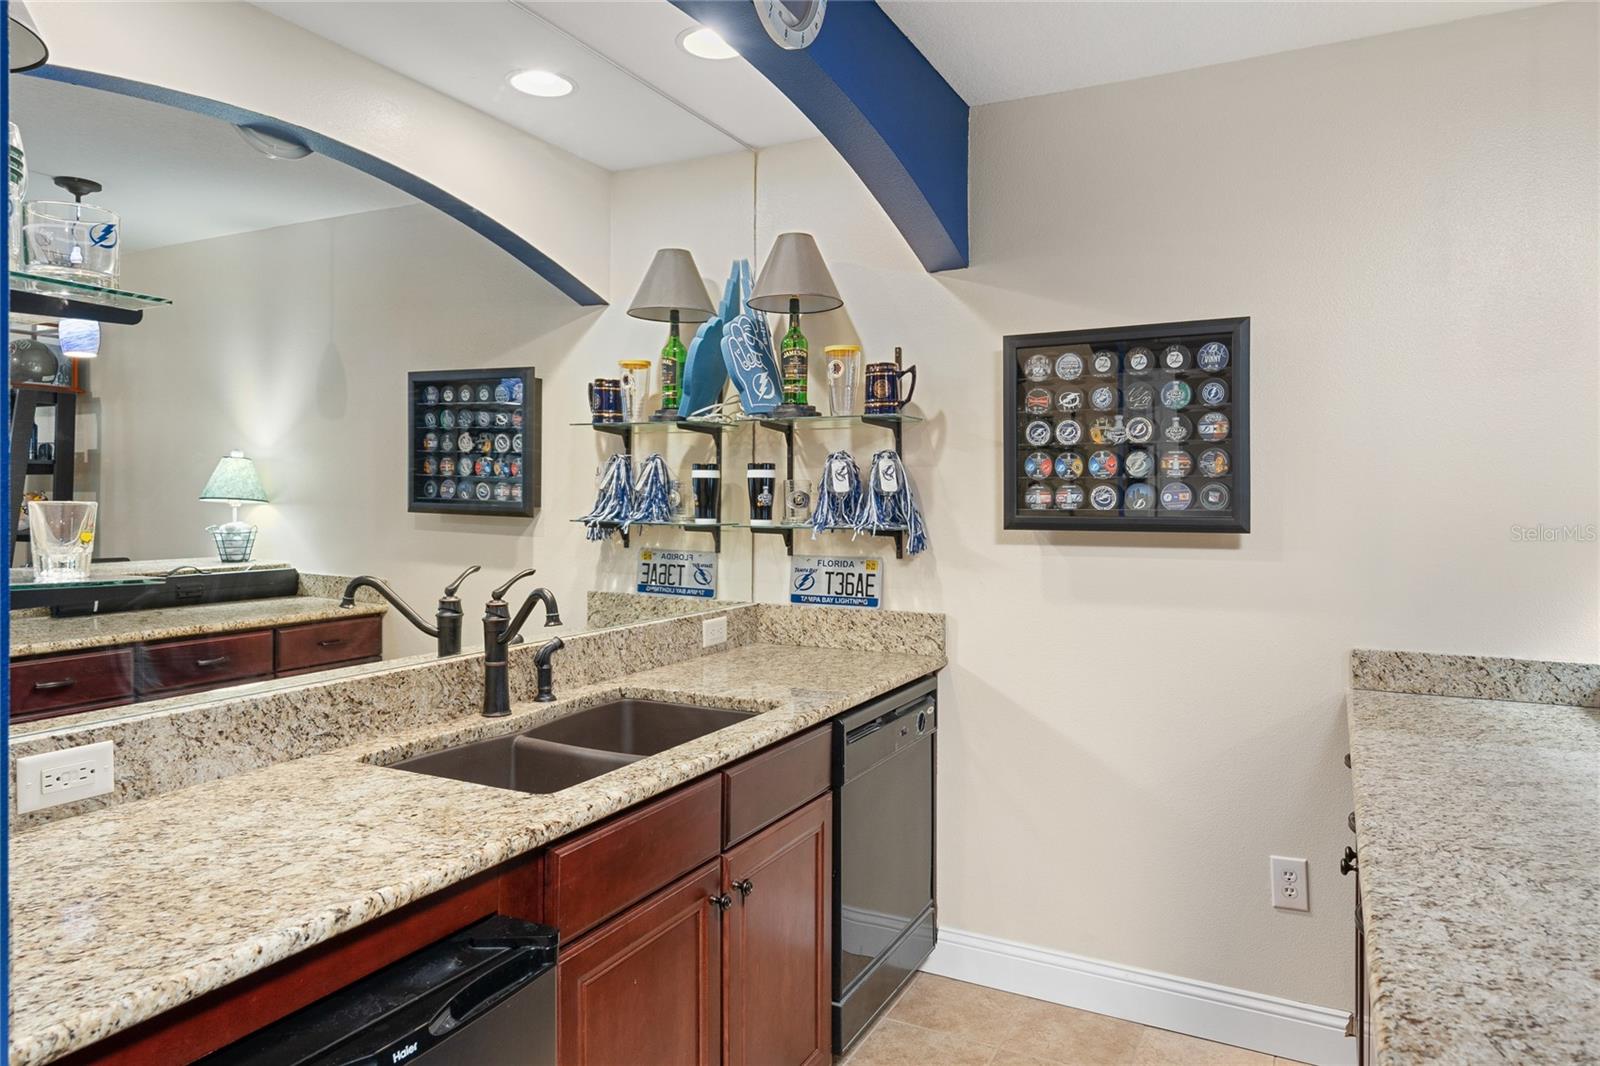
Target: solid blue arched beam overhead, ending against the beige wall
[(881, 103)]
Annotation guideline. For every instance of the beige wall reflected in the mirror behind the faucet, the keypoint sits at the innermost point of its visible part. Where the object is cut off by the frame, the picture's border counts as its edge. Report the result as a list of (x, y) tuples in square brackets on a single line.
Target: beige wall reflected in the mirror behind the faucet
[(294, 345)]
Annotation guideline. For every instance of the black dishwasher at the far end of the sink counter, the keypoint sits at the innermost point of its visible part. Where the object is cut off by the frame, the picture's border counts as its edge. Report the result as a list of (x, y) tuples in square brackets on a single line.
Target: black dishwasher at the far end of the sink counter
[(884, 848)]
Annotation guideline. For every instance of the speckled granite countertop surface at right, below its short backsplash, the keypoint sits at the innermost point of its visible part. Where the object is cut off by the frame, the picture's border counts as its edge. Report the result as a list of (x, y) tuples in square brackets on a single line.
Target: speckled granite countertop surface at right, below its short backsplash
[(1478, 830)]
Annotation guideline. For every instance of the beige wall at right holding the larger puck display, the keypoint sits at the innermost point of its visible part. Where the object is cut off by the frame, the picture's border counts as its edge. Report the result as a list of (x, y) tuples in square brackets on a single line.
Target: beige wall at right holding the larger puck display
[(1137, 723)]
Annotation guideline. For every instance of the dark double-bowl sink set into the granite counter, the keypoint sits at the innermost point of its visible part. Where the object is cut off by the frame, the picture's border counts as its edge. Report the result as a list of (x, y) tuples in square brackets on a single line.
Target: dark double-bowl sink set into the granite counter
[(574, 750)]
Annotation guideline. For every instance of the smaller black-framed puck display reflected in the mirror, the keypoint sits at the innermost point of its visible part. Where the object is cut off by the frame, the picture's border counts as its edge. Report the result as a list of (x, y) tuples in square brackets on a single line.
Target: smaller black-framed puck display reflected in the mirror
[(476, 455)]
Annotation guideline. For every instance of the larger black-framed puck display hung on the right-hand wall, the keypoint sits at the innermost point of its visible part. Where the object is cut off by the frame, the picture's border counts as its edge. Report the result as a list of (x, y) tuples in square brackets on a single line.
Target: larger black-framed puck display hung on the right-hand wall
[(1134, 430)]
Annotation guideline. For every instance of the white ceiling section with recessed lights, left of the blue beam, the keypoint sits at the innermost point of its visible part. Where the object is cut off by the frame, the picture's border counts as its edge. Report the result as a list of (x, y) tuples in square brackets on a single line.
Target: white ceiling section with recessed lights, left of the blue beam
[(638, 98)]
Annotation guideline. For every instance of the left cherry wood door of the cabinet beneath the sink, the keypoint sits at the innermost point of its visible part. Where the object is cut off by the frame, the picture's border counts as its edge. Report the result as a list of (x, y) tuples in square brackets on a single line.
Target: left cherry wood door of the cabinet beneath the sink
[(646, 988)]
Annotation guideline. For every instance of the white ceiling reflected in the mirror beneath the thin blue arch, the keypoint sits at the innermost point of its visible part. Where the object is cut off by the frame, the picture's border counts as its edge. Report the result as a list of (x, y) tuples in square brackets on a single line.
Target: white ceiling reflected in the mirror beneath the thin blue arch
[(172, 175)]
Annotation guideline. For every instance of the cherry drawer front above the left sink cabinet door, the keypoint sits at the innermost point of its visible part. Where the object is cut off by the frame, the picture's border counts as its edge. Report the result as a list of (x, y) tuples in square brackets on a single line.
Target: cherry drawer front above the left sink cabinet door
[(610, 868)]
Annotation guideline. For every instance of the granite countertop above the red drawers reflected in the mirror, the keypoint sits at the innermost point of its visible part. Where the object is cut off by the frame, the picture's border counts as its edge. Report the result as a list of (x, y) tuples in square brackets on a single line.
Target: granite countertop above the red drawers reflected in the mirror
[(42, 635)]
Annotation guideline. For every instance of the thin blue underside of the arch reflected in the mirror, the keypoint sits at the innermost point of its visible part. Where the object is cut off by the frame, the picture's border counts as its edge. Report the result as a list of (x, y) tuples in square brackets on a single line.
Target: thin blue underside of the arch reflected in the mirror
[(404, 180)]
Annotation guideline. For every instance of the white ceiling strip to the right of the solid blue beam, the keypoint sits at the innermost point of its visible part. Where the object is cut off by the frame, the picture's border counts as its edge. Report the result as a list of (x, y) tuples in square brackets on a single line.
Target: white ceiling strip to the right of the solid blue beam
[(996, 50)]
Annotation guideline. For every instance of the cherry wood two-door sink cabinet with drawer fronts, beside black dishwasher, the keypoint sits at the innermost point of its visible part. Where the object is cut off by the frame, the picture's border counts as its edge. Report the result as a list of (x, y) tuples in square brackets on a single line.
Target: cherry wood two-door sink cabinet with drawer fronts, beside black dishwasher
[(734, 961)]
